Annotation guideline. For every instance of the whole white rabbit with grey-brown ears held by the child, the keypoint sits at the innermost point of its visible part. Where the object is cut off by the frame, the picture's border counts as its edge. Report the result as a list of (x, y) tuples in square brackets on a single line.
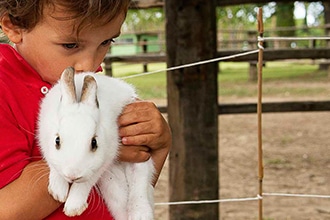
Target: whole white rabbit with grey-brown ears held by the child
[(78, 137)]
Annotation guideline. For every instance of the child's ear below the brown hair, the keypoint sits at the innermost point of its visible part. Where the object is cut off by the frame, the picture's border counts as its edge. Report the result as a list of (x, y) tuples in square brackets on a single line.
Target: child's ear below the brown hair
[(13, 32)]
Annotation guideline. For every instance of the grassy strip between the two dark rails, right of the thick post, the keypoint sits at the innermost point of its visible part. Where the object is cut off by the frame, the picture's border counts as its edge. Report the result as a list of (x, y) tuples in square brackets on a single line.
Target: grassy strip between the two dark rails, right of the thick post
[(233, 79)]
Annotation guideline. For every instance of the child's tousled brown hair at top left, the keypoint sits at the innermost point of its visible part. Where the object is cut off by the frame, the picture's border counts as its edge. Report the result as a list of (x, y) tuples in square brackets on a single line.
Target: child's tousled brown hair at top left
[(27, 13)]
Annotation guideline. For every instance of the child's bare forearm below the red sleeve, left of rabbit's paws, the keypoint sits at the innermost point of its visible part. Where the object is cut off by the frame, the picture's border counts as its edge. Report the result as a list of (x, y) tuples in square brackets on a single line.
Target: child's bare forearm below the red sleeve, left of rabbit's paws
[(27, 196)]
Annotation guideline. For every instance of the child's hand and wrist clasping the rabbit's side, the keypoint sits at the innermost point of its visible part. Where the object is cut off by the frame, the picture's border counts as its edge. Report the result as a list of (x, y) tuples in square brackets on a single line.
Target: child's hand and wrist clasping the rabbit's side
[(144, 133)]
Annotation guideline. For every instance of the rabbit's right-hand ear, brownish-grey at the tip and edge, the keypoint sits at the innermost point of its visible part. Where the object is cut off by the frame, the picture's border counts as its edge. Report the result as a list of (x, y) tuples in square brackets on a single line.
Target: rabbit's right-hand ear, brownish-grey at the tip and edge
[(89, 91)]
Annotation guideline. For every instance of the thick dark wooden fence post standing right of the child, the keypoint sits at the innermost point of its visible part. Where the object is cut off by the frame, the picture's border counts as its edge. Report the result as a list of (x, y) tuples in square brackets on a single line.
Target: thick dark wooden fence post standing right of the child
[(192, 107)]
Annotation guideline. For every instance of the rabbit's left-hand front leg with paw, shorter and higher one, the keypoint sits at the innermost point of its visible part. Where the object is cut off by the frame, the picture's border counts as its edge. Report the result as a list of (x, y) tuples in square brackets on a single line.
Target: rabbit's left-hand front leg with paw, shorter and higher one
[(58, 187)]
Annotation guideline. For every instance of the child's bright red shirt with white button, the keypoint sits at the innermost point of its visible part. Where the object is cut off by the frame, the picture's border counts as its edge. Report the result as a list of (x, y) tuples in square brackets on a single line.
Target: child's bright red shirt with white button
[(20, 93)]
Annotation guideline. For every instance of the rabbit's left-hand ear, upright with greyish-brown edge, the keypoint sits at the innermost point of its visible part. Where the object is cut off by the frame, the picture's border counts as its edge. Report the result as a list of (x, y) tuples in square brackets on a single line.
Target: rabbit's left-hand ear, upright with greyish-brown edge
[(67, 86)]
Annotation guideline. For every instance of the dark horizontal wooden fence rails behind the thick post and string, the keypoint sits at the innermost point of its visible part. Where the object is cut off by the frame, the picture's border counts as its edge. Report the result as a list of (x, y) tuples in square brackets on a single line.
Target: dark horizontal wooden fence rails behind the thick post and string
[(314, 51)]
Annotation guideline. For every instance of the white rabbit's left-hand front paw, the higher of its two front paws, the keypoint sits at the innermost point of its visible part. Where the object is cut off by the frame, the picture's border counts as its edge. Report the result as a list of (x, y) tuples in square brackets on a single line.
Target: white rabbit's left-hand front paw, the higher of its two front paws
[(58, 189)]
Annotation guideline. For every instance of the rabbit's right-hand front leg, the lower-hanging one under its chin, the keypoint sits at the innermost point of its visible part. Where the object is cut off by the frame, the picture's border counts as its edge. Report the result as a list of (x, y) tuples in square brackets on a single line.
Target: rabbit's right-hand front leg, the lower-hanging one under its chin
[(76, 202)]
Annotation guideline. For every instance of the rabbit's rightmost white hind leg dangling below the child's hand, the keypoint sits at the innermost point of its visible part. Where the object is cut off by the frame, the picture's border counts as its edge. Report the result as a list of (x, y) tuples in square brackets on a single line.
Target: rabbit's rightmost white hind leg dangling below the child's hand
[(140, 197)]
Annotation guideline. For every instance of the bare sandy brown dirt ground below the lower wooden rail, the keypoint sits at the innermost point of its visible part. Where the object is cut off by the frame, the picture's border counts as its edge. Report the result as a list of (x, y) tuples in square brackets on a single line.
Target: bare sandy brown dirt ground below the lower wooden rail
[(296, 149)]
